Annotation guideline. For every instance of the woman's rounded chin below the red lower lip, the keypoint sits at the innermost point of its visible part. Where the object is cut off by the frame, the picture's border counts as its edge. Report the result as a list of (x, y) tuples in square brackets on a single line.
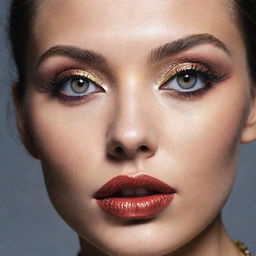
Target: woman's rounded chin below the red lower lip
[(143, 241)]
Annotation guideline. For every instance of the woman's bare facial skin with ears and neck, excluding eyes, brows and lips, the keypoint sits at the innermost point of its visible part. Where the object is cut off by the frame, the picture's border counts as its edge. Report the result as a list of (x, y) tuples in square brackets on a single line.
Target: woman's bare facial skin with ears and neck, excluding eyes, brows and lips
[(191, 144)]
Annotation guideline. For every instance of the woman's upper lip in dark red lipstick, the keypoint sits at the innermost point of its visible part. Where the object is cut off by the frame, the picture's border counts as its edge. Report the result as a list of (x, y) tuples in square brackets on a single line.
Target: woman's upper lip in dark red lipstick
[(121, 182)]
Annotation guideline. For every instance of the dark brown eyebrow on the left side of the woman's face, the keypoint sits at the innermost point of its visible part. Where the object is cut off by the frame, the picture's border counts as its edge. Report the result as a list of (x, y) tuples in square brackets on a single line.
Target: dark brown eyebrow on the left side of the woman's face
[(84, 55)]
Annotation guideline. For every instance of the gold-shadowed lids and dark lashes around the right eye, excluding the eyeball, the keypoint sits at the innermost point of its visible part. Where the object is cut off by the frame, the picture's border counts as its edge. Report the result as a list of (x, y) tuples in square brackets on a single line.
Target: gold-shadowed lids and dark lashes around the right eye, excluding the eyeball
[(206, 73)]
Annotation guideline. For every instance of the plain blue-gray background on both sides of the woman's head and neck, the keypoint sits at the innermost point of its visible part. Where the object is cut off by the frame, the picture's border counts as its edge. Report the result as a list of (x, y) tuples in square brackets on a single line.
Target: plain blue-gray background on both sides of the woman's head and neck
[(28, 224)]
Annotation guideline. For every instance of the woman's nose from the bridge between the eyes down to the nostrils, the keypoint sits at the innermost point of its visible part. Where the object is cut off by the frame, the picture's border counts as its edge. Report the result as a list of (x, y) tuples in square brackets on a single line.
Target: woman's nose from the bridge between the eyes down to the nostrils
[(131, 132)]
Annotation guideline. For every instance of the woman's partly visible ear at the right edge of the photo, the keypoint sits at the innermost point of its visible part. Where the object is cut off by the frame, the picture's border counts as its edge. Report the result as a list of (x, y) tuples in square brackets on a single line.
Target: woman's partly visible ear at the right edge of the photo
[(249, 130)]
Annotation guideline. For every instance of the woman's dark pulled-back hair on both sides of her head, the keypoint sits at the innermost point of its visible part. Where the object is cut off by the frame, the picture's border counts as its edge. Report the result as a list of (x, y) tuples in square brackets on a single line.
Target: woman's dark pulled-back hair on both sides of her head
[(23, 12)]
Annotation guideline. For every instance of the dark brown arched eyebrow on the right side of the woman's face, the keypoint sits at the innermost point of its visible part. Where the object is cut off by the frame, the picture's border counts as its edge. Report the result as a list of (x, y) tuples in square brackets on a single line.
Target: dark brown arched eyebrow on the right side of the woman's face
[(186, 43)]
